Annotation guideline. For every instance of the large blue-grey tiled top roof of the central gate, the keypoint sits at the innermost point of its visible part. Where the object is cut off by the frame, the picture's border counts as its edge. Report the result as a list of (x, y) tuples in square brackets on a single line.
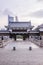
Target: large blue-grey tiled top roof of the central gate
[(20, 24)]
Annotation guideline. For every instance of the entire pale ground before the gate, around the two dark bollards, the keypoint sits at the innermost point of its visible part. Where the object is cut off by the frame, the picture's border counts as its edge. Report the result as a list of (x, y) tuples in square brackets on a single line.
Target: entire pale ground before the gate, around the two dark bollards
[(22, 55)]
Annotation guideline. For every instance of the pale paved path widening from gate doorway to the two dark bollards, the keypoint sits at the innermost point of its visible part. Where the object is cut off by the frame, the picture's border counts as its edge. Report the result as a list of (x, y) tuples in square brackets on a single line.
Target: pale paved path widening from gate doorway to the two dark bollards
[(20, 44)]
